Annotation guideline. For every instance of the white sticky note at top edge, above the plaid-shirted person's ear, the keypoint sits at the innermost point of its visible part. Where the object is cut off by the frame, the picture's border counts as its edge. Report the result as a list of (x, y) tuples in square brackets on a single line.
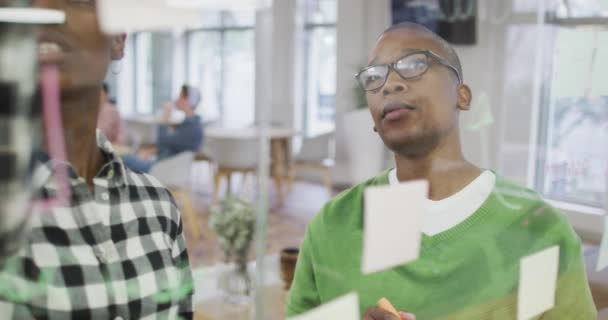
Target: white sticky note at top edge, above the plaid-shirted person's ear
[(116, 16)]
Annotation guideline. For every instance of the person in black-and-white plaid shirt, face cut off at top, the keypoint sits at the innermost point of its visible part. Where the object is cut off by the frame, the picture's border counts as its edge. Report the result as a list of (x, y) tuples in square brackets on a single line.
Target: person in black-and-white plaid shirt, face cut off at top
[(117, 249)]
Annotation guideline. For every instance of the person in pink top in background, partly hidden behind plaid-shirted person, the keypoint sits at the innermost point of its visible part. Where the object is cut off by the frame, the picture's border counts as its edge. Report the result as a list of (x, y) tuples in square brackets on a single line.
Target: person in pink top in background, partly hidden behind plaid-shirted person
[(109, 121)]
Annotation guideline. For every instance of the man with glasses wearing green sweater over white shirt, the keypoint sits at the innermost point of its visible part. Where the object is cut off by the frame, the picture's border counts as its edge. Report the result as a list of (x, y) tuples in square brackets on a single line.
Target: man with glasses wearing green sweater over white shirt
[(477, 225)]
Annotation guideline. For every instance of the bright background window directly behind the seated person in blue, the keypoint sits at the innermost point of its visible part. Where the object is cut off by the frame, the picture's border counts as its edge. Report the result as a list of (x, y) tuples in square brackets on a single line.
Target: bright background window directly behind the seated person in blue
[(221, 62)]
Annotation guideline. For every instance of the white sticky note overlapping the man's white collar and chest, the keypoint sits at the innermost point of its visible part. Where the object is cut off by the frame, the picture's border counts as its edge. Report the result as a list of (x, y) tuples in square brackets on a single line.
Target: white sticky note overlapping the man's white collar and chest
[(392, 224)]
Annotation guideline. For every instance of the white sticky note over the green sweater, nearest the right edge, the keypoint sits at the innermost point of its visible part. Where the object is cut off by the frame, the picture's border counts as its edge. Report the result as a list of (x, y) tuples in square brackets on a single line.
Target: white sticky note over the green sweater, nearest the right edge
[(537, 283)]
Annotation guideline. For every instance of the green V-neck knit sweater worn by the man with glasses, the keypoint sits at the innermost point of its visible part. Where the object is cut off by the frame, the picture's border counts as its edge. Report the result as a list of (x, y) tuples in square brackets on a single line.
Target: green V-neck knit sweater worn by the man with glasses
[(470, 271)]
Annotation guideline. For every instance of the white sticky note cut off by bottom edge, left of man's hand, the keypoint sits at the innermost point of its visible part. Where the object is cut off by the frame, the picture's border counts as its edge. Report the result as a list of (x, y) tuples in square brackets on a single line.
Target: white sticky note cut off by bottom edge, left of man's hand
[(343, 308)]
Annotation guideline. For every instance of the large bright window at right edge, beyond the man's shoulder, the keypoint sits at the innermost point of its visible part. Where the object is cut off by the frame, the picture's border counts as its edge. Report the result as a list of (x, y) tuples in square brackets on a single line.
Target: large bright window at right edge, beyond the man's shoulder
[(574, 164)]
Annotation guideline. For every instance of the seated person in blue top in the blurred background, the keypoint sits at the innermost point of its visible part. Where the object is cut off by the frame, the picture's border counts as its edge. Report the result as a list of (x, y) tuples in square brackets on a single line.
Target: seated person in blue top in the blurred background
[(173, 138)]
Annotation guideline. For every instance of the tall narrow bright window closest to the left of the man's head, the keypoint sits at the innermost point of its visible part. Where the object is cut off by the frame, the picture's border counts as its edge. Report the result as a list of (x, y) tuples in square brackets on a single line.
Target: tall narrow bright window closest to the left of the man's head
[(320, 66)]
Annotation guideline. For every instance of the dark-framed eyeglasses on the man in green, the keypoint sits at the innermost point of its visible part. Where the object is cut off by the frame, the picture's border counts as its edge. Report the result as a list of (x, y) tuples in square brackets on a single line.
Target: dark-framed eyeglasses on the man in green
[(410, 66)]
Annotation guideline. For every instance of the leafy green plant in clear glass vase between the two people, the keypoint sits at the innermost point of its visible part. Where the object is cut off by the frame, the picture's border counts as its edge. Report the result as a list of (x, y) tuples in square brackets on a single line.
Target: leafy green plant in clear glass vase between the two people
[(234, 222)]
